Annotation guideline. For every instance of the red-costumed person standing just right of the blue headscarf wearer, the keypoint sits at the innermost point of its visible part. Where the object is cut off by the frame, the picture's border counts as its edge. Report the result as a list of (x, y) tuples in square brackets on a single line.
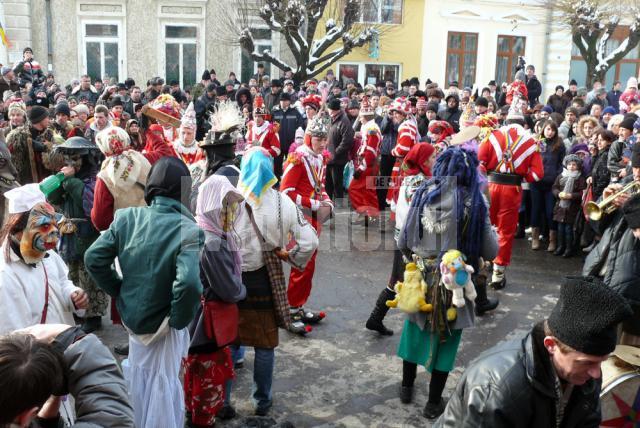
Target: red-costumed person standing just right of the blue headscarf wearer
[(303, 181)]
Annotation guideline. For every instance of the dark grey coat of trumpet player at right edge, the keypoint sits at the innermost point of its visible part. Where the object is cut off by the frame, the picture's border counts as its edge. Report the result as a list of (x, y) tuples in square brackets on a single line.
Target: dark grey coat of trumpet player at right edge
[(619, 251)]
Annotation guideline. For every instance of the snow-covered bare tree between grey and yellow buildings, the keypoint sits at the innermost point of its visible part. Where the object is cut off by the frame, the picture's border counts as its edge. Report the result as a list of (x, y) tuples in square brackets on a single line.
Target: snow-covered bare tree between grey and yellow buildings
[(297, 22)]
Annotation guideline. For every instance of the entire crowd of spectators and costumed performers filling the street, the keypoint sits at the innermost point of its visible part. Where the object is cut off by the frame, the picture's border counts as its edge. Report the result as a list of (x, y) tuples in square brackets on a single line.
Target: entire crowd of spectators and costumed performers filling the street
[(176, 208)]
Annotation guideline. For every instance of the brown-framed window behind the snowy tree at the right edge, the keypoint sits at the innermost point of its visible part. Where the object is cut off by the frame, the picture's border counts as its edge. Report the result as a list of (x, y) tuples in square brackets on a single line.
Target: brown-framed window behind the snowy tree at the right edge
[(628, 66)]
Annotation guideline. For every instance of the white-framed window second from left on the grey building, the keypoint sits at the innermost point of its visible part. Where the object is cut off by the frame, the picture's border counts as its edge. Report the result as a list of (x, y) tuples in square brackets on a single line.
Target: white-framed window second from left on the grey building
[(180, 49)]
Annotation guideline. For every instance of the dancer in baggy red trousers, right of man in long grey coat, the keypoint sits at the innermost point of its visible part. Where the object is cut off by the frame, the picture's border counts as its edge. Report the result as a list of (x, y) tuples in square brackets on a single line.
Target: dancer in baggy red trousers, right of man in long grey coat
[(362, 191)]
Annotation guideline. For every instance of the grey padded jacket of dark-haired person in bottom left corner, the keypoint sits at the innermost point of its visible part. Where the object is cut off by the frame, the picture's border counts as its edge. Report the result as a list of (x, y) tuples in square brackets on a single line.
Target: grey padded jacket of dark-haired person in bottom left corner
[(95, 381)]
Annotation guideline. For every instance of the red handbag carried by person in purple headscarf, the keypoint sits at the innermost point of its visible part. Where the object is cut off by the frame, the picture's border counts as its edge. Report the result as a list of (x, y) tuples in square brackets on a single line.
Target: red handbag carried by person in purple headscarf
[(221, 321)]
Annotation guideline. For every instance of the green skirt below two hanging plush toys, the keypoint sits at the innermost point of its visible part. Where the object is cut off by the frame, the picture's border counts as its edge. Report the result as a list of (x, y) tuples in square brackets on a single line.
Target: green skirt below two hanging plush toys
[(425, 348)]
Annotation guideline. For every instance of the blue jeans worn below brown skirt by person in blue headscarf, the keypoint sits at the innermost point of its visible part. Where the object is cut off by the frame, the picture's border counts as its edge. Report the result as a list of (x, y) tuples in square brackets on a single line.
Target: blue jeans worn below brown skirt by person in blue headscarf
[(263, 364)]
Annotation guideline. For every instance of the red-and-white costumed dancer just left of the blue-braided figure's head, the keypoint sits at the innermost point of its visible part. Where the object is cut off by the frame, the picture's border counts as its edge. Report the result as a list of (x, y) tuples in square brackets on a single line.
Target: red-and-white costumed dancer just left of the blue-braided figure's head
[(407, 138)]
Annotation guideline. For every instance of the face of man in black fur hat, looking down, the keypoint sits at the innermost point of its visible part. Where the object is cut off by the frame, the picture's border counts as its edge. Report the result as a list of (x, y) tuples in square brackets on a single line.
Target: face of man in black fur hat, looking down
[(573, 366)]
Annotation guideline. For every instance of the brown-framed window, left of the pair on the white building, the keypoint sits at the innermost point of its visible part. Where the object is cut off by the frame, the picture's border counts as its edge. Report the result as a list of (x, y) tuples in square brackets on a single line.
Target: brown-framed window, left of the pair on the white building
[(462, 51)]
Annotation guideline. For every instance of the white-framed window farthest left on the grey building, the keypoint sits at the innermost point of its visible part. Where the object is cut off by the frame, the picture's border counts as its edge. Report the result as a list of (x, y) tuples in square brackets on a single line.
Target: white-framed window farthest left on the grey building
[(101, 50)]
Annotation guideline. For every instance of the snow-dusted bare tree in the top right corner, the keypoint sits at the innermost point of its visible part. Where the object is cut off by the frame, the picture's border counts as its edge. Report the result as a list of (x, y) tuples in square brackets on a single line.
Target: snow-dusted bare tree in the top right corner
[(592, 24)]
